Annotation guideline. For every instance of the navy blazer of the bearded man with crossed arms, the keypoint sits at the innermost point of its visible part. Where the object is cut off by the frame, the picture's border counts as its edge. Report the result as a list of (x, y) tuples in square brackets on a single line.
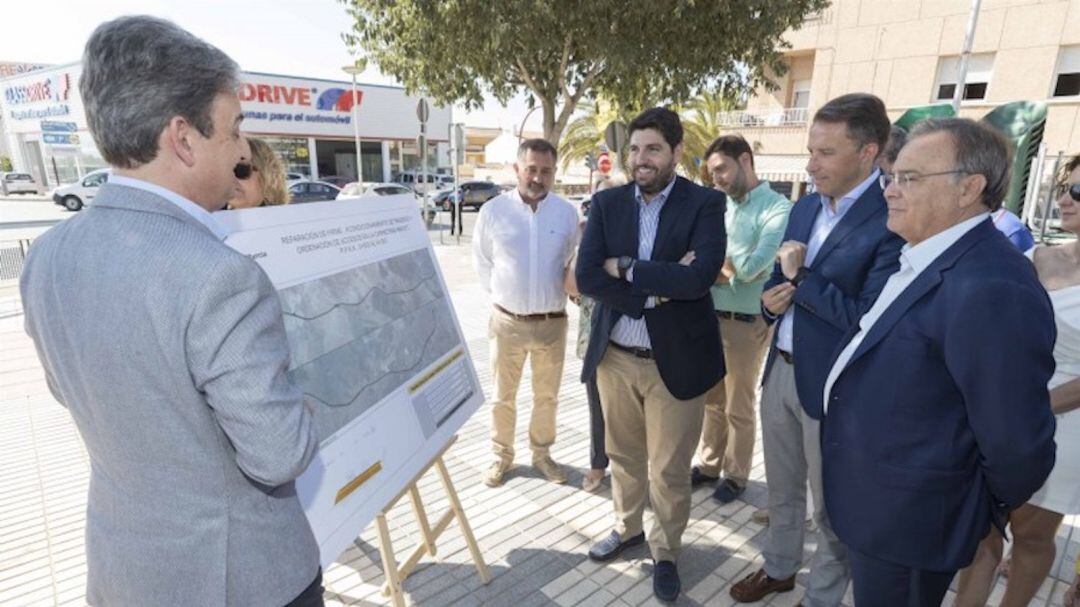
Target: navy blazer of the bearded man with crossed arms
[(683, 331)]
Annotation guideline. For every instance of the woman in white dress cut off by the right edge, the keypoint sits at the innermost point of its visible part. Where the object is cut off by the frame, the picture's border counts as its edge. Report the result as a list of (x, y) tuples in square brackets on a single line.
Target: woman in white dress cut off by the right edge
[(1035, 524)]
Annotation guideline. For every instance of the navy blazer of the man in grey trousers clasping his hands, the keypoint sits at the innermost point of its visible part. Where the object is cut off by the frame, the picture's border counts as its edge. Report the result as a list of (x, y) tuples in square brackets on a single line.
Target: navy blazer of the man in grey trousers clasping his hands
[(845, 279)]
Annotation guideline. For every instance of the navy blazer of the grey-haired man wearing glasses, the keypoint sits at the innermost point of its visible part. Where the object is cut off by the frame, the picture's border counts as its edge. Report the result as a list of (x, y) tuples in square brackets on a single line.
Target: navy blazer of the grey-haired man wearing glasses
[(941, 422)]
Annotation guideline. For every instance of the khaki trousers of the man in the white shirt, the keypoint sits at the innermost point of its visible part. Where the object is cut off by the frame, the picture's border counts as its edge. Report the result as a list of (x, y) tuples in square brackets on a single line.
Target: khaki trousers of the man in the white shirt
[(544, 343)]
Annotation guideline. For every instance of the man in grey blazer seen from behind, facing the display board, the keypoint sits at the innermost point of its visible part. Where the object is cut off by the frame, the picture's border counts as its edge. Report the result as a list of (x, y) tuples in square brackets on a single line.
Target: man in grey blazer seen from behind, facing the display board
[(169, 347)]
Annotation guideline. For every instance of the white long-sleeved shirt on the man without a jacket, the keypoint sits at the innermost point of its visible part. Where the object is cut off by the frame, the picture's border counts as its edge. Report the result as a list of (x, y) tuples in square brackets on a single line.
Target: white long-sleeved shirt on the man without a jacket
[(522, 255)]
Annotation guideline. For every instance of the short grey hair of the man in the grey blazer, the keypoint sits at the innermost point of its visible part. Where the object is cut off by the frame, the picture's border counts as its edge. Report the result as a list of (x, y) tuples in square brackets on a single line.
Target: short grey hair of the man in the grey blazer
[(139, 73)]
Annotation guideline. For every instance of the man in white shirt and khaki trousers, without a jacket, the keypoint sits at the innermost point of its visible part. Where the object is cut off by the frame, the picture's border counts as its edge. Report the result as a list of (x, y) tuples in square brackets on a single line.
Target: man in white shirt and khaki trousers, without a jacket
[(523, 245)]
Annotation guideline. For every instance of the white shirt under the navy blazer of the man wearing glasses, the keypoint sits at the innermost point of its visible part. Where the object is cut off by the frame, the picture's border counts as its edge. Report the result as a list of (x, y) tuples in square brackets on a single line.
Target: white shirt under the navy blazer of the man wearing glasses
[(913, 262)]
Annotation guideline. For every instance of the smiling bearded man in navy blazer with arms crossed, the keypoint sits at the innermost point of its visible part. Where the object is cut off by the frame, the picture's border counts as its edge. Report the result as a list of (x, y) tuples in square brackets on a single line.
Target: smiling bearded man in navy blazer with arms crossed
[(651, 252)]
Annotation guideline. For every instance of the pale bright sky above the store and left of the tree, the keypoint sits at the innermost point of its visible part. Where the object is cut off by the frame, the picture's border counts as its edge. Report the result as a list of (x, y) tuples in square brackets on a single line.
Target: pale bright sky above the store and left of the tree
[(287, 37)]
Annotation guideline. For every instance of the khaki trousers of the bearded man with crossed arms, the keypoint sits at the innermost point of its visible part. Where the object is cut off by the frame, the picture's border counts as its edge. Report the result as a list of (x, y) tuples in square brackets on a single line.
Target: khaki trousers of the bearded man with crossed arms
[(651, 440)]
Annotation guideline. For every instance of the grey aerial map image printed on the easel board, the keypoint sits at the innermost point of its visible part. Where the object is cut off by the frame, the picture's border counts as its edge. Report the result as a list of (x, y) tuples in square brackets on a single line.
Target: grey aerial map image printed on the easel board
[(358, 335)]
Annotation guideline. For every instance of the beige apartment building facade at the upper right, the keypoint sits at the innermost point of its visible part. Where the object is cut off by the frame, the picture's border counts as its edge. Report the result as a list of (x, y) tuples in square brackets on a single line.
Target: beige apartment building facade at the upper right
[(907, 52)]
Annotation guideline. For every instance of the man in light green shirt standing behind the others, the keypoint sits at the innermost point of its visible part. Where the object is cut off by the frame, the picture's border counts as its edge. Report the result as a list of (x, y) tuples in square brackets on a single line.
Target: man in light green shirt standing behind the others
[(757, 218)]
